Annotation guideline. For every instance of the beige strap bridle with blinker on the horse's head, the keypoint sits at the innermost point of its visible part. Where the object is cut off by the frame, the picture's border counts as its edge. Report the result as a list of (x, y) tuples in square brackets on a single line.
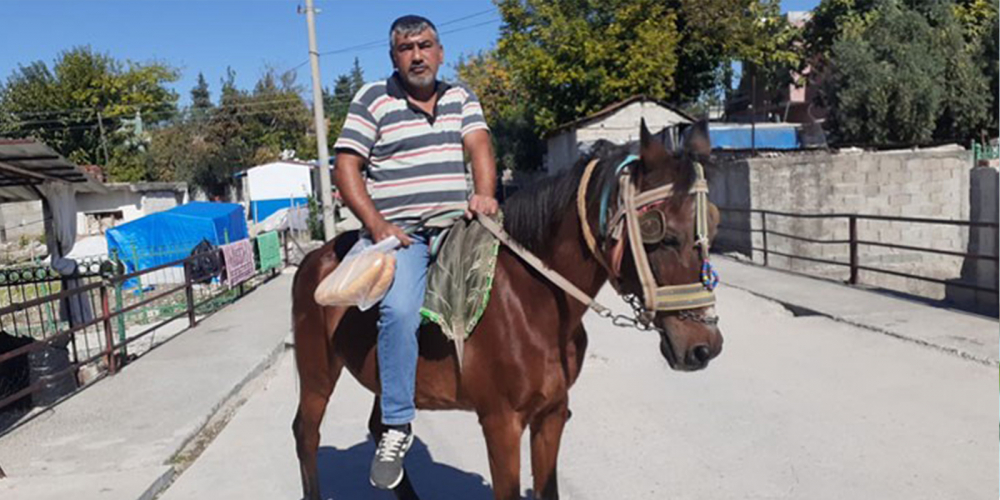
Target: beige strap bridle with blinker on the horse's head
[(642, 224)]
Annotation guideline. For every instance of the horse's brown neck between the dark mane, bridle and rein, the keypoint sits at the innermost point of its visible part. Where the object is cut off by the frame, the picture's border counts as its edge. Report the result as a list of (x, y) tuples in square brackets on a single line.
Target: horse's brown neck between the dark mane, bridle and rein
[(570, 257)]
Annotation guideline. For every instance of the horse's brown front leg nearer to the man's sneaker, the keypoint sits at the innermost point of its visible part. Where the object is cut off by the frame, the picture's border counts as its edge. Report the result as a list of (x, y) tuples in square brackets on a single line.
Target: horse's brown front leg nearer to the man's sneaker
[(503, 444)]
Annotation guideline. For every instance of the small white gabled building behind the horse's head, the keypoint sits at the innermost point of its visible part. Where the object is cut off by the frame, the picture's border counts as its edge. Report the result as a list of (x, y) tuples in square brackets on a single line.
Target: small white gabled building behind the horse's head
[(618, 123)]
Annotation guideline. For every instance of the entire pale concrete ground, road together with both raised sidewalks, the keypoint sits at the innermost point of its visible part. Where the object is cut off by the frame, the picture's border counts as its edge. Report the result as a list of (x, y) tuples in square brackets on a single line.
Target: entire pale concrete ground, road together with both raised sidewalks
[(796, 407)]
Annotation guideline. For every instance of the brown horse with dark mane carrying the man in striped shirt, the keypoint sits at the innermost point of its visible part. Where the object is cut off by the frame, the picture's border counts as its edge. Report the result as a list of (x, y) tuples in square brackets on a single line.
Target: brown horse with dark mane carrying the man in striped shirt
[(529, 346)]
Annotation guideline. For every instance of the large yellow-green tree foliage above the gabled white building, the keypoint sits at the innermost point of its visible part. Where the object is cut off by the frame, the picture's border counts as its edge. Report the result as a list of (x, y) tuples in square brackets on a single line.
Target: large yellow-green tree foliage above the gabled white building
[(570, 58)]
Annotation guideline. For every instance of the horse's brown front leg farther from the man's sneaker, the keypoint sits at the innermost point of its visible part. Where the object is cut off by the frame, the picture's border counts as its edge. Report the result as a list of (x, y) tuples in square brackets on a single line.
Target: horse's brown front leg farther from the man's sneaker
[(546, 434)]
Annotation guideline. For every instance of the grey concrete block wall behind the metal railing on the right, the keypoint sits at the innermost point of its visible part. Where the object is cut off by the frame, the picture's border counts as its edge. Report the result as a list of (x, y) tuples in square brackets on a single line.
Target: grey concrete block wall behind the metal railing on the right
[(926, 183)]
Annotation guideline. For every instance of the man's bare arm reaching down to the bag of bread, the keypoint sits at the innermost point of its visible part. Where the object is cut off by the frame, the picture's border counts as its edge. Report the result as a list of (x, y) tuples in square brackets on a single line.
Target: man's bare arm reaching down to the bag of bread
[(350, 183)]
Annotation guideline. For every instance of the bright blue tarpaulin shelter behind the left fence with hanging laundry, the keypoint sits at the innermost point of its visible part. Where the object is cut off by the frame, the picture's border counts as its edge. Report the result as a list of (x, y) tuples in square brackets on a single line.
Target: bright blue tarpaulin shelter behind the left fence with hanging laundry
[(171, 235)]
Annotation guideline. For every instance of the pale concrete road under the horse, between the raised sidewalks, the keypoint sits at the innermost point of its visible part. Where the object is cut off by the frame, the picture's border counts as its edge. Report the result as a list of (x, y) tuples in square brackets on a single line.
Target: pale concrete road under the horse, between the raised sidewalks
[(796, 407)]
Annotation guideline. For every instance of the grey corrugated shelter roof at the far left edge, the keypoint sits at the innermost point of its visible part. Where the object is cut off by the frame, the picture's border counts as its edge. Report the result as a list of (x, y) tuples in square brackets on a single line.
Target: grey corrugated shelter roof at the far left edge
[(27, 162)]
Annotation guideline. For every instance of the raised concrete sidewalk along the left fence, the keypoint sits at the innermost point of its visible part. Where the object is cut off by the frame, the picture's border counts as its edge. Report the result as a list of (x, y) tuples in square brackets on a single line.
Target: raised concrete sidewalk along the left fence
[(115, 439)]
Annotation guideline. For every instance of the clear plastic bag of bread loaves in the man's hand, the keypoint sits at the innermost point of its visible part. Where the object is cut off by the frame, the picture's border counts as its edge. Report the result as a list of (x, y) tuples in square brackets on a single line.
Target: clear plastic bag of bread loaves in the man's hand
[(363, 278)]
